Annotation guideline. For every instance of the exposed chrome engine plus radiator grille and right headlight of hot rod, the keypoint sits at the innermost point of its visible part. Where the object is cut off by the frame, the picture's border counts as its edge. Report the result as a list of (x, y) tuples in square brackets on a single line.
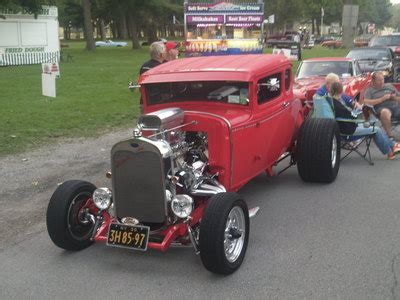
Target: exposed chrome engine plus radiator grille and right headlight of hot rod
[(158, 175)]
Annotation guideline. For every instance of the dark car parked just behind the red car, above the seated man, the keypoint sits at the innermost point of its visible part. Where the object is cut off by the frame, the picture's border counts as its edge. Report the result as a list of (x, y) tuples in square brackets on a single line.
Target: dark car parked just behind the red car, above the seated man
[(376, 59)]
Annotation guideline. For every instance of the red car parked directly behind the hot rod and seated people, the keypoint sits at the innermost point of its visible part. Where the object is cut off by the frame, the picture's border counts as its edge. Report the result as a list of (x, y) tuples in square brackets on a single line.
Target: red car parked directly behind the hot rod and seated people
[(311, 76)]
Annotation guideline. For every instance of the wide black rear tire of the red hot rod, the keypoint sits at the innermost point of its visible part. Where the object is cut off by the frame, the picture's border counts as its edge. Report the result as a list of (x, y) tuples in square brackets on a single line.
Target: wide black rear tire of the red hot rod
[(318, 150)]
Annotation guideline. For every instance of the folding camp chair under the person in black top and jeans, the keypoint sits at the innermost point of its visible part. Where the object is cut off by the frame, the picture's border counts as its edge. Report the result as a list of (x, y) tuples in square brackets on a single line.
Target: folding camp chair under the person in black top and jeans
[(352, 143)]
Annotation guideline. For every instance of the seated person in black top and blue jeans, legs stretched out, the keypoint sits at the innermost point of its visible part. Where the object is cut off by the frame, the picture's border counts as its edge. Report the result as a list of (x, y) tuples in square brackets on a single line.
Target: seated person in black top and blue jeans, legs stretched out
[(385, 145)]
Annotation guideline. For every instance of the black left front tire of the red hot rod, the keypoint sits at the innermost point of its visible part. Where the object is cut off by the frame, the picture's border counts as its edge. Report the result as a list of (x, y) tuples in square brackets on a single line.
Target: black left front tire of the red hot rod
[(63, 223)]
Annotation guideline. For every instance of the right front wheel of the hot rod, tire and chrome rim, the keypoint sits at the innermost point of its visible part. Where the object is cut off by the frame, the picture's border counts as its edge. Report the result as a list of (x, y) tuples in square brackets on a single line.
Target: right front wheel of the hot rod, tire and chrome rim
[(224, 233)]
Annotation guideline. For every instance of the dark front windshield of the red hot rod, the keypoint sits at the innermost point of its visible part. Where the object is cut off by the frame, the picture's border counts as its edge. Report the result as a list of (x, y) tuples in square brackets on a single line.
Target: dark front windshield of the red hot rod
[(210, 91)]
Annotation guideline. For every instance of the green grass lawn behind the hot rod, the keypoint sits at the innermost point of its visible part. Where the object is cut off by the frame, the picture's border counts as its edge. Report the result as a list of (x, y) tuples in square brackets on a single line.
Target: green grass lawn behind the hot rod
[(92, 97)]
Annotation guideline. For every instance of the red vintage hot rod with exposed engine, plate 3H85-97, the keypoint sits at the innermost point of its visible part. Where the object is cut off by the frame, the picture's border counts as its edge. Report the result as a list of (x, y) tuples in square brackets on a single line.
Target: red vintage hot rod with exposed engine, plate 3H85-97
[(211, 124)]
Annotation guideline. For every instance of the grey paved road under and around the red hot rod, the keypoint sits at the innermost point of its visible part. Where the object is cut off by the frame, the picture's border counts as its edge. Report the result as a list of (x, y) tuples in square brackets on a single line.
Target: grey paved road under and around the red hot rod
[(337, 241)]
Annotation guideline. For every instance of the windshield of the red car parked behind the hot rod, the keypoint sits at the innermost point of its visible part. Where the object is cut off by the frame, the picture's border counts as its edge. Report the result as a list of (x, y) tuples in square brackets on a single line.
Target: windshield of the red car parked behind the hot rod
[(323, 68)]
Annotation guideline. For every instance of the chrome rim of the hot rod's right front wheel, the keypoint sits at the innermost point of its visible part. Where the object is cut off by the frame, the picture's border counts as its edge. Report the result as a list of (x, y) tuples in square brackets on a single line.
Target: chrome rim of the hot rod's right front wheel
[(235, 233)]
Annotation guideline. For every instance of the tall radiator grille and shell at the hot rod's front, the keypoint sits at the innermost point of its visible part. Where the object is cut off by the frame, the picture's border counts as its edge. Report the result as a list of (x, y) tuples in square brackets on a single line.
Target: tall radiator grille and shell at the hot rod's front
[(138, 180)]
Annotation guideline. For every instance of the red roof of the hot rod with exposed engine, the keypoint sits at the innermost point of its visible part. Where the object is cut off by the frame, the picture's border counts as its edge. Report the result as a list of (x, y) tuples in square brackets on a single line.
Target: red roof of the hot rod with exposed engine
[(227, 67)]
